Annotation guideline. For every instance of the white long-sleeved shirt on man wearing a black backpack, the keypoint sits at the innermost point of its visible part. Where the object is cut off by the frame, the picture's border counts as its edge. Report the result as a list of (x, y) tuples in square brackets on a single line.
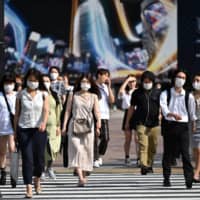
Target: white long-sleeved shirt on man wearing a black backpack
[(177, 105)]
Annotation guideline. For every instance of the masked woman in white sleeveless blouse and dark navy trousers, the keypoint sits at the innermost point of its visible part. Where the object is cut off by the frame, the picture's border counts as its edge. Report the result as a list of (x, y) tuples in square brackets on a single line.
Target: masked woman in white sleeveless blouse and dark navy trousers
[(32, 110)]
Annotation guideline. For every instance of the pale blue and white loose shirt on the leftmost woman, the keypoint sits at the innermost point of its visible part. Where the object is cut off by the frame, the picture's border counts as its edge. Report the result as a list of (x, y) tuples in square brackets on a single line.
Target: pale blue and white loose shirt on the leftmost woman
[(5, 123)]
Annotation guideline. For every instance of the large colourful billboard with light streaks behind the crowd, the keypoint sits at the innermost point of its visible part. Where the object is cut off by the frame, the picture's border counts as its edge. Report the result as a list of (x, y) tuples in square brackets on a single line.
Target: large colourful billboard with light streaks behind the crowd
[(151, 37)]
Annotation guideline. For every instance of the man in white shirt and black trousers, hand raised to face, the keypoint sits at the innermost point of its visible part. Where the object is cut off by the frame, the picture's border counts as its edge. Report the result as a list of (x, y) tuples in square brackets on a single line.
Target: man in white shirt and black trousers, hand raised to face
[(104, 83)]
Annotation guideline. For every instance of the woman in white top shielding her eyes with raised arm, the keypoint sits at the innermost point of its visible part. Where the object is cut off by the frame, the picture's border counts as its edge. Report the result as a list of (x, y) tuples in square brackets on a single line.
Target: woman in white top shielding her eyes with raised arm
[(125, 92)]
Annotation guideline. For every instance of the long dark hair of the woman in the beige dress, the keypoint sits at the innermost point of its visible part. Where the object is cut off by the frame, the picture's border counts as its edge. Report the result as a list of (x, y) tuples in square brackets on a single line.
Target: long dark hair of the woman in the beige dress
[(94, 88)]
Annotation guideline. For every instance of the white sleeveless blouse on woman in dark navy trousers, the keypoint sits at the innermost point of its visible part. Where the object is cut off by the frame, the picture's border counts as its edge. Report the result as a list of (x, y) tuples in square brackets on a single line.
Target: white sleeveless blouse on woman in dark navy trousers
[(31, 113)]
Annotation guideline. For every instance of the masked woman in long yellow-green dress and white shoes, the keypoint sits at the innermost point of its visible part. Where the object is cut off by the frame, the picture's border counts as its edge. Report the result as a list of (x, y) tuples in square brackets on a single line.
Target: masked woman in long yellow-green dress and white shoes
[(52, 128)]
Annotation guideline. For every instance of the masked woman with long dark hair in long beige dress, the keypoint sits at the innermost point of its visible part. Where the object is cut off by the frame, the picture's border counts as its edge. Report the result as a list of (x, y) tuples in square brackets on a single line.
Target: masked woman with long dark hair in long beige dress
[(83, 104)]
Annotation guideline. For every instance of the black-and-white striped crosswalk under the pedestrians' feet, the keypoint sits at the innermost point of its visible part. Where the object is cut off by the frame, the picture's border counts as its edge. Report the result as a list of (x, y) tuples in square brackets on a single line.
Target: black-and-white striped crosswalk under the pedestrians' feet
[(111, 186)]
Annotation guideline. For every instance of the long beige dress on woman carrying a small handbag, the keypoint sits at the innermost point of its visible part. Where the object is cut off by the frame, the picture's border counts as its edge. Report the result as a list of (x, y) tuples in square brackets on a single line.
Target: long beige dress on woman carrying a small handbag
[(81, 148)]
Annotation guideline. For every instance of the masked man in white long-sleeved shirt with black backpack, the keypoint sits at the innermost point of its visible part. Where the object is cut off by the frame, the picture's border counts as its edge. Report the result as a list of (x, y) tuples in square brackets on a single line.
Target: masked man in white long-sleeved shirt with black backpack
[(177, 112)]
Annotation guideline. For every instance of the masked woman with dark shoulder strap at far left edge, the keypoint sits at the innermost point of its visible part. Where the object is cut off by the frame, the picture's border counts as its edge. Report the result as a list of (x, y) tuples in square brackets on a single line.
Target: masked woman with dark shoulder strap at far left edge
[(6, 129)]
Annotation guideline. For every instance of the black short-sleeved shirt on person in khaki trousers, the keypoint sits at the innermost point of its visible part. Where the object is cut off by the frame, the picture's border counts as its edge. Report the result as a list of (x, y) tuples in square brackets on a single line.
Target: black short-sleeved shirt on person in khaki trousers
[(146, 104)]
